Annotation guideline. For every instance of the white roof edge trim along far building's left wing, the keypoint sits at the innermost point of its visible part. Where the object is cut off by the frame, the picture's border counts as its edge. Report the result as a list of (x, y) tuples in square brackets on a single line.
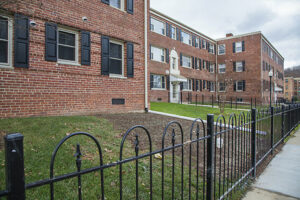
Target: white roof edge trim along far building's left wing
[(178, 23)]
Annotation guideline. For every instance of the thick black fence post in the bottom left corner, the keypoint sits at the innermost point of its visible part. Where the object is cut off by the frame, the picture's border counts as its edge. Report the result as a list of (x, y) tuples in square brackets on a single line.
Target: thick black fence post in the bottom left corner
[(14, 164)]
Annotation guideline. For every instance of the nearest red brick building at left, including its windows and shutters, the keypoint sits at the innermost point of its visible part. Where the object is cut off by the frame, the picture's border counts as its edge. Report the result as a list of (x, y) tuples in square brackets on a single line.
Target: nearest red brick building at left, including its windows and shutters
[(72, 57)]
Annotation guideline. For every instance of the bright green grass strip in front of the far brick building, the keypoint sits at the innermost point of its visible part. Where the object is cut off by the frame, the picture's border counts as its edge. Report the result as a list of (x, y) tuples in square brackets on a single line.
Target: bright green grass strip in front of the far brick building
[(192, 111)]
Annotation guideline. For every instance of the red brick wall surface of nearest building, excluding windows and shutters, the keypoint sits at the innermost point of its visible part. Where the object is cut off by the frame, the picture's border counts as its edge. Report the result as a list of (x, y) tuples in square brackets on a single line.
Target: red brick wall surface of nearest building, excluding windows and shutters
[(50, 88)]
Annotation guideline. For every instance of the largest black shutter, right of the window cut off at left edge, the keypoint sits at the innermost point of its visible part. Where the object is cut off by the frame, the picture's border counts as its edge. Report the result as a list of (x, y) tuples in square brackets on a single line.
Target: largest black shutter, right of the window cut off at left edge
[(21, 46)]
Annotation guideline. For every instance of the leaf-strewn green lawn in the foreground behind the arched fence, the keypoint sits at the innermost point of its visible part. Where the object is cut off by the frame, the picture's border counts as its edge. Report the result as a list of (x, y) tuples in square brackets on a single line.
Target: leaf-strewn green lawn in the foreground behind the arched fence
[(42, 134)]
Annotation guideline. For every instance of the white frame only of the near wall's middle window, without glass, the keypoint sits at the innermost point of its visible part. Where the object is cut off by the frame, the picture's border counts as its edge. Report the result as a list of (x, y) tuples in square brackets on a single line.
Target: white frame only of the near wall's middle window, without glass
[(68, 62)]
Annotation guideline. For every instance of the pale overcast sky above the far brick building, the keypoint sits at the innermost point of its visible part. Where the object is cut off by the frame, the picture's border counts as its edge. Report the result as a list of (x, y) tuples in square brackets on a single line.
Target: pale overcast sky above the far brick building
[(279, 20)]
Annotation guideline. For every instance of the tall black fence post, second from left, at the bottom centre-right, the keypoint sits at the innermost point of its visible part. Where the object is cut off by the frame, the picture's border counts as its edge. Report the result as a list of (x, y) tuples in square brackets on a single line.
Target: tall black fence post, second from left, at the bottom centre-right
[(210, 158)]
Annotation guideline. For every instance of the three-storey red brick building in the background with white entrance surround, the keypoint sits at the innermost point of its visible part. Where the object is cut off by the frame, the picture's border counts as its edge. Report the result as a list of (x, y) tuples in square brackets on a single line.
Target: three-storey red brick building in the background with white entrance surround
[(235, 67)]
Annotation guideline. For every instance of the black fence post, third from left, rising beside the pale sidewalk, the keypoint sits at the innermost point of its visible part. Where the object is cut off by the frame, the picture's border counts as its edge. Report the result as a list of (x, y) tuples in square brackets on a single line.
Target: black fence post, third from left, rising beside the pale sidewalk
[(253, 141)]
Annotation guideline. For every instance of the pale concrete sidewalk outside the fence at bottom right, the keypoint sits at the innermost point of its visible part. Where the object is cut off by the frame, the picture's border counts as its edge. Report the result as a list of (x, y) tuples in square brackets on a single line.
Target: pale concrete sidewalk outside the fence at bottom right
[(281, 179)]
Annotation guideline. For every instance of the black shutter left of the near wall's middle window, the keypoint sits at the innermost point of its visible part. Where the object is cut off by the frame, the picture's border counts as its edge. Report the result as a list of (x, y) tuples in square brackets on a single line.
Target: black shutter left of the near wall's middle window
[(51, 42)]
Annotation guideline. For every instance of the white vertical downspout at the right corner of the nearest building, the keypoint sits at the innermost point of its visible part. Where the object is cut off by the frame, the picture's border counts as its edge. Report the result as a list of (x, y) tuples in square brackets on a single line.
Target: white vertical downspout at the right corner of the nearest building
[(146, 54)]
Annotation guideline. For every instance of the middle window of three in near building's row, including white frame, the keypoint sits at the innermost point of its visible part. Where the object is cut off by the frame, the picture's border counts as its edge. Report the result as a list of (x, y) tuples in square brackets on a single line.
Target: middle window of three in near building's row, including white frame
[(67, 46)]
